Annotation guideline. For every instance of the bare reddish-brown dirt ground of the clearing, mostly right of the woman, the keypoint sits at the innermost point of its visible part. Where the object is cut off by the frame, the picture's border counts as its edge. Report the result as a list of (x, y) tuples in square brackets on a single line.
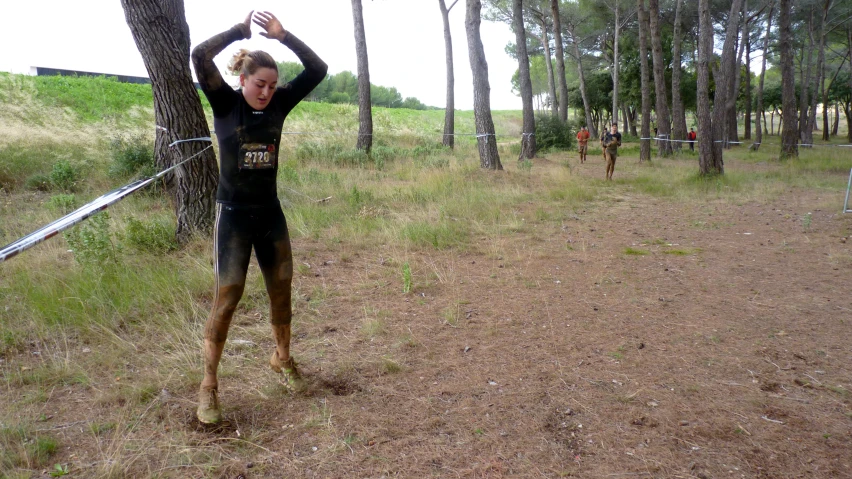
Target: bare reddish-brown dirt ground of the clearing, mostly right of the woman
[(638, 337)]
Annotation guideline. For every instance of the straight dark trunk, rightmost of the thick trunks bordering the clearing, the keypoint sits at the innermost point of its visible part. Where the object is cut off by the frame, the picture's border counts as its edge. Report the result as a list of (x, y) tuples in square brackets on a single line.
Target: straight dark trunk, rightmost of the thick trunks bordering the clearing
[(790, 134)]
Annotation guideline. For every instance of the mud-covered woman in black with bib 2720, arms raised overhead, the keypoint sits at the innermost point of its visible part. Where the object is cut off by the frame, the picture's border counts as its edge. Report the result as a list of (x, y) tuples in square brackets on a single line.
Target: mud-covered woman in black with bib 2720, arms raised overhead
[(248, 125)]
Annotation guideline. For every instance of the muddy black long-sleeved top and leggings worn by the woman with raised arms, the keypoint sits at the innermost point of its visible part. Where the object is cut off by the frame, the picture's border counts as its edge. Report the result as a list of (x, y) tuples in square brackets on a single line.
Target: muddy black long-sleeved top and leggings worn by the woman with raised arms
[(248, 213)]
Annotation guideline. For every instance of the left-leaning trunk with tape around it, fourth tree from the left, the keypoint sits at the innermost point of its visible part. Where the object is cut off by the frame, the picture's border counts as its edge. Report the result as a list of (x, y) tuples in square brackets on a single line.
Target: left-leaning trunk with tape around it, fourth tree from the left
[(489, 158)]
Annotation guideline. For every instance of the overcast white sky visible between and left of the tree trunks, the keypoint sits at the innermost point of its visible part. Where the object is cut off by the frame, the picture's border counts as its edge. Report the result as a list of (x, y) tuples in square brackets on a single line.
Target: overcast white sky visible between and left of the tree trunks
[(405, 41)]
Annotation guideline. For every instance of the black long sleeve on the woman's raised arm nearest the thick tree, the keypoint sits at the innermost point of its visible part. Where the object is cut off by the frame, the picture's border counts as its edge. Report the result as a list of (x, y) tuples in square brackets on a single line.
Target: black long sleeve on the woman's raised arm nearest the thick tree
[(221, 96)]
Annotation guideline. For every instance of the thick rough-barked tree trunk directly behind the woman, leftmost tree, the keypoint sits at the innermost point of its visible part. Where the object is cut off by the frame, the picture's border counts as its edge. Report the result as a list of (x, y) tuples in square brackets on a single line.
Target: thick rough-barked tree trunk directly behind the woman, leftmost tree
[(161, 34)]
